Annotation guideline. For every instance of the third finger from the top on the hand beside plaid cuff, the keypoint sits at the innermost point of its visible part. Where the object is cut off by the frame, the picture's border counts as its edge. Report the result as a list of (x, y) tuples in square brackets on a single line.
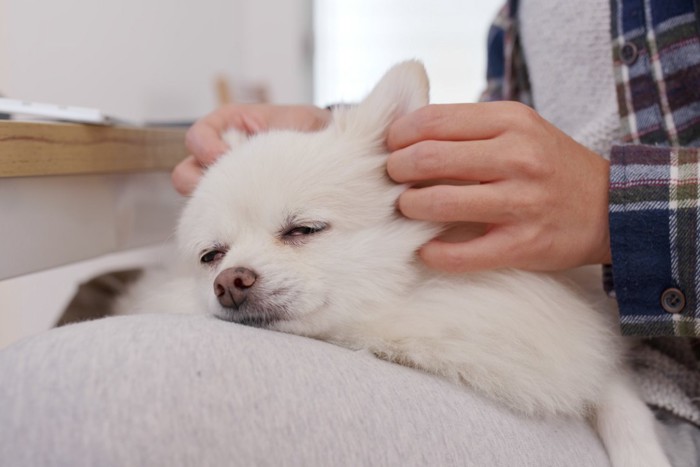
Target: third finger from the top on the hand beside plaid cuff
[(449, 203)]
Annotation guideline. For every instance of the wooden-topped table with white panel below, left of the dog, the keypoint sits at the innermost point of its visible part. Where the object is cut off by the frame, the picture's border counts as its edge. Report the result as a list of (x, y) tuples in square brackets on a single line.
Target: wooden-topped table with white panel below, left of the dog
[(73, 192)]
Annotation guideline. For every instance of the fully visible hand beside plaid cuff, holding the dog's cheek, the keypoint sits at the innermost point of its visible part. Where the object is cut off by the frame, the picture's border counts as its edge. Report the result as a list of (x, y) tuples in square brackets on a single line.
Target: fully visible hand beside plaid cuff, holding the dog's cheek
[(543, 196)]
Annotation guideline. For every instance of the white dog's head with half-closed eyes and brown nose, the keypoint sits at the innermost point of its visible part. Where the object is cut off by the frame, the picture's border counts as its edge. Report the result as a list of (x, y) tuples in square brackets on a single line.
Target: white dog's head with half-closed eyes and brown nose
[(298, 231)]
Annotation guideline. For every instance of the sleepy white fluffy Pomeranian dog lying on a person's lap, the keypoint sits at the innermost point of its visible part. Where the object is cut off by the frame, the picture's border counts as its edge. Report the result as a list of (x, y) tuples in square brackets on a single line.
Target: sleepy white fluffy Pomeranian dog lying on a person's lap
[(299, 233)]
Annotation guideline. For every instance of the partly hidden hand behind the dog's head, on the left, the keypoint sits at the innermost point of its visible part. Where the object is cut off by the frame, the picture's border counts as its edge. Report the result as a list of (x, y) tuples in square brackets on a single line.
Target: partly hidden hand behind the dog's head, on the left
[(204, 141)]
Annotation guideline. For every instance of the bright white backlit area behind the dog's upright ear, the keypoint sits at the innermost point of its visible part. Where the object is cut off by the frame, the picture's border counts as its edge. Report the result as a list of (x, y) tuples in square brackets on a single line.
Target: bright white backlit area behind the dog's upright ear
[(357, 41)]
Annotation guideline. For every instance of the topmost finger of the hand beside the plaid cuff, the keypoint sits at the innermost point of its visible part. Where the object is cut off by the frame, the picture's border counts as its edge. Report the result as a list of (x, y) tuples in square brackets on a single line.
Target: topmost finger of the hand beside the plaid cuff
[(454, 122)]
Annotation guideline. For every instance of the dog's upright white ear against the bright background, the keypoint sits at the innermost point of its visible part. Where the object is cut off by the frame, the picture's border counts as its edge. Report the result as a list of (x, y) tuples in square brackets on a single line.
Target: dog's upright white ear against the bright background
[(403, 89)]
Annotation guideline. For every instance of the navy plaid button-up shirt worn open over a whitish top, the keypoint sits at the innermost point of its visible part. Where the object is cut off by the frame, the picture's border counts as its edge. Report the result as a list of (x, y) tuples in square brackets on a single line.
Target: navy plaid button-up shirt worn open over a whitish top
[(655, 168)]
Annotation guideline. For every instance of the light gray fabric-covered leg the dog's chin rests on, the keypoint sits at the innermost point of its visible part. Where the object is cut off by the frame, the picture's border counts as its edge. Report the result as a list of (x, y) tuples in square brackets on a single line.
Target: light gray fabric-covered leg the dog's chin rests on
[(177, 390)]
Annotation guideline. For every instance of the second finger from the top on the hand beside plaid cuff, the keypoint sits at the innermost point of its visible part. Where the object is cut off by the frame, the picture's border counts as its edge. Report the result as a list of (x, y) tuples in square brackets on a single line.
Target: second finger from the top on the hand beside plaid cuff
[(432, 160)]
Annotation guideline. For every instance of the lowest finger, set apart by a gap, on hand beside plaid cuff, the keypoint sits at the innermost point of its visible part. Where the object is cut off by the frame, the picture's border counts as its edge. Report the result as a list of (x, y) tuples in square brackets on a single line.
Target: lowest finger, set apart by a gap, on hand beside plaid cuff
[(494, 250)]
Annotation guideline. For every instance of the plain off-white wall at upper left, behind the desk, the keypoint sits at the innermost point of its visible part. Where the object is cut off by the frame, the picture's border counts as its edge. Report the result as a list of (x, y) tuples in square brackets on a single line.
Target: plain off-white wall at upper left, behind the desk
[(150, 59)]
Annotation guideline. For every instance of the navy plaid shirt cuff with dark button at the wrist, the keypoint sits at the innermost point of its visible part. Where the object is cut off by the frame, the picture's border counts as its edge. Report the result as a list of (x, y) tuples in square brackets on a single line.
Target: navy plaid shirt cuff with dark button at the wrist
[(654, 227)]
